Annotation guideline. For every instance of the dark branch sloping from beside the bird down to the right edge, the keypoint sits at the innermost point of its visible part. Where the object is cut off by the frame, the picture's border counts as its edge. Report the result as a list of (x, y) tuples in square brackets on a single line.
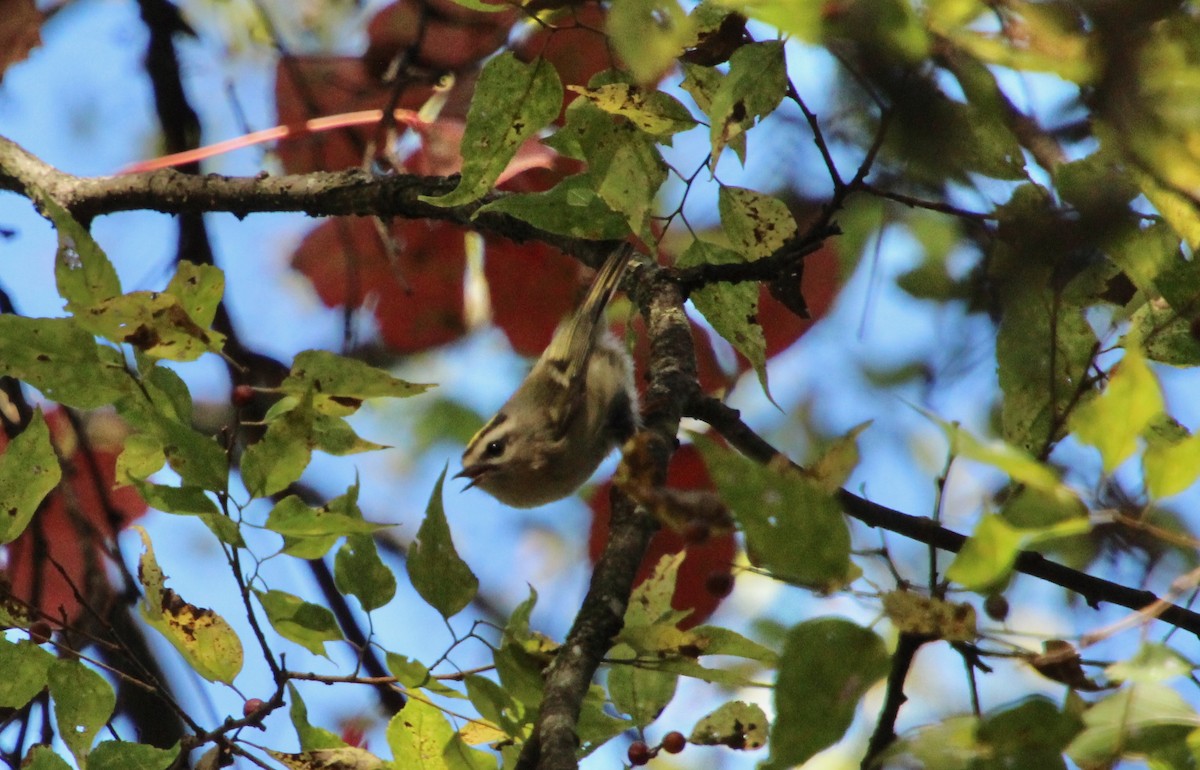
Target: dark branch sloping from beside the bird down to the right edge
[(1095, 591)]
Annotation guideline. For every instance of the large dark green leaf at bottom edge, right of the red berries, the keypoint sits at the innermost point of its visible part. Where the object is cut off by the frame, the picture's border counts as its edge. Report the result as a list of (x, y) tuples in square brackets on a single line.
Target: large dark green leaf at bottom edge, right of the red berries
[(826, 669)]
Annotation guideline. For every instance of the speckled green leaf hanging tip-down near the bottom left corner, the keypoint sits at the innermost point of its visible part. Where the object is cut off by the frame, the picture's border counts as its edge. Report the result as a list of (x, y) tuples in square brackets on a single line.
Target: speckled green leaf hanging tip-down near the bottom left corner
[(83, 703)]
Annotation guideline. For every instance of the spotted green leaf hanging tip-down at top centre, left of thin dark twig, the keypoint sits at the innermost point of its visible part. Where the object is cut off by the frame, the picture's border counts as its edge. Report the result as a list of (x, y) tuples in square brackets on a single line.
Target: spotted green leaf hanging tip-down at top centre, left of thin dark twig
[(754, 88)]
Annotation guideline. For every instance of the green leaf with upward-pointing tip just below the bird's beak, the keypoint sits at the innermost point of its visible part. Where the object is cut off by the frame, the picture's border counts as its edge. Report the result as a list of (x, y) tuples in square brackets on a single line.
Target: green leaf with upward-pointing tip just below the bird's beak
[(440, 576)]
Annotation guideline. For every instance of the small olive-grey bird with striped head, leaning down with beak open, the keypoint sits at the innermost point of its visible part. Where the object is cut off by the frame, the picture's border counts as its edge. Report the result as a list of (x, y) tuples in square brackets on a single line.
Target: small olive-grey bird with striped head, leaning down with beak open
[(575, 405)]
